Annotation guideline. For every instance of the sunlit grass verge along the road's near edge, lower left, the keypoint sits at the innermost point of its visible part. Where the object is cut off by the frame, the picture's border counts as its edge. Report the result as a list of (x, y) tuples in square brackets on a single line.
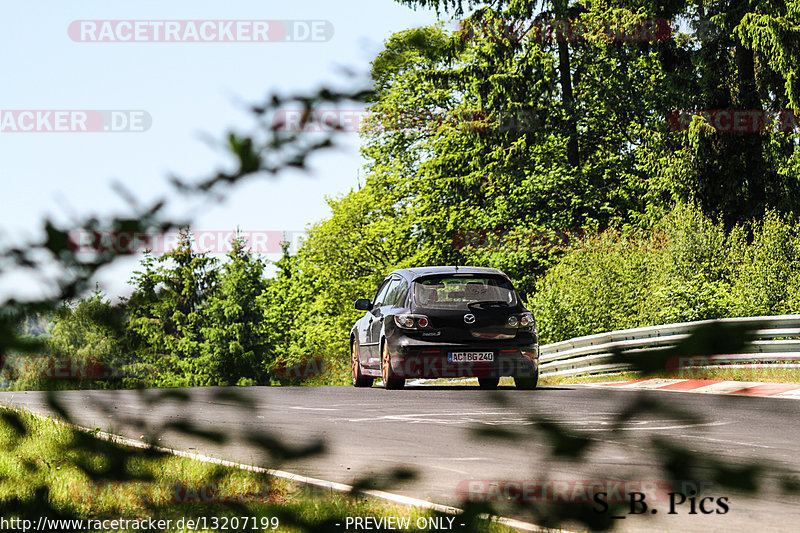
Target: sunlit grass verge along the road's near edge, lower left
[(51, 469)]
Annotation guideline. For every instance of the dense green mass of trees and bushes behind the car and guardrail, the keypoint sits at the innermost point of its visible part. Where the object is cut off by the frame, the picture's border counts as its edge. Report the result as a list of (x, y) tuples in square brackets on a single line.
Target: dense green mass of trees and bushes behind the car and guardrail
[(559, 161)]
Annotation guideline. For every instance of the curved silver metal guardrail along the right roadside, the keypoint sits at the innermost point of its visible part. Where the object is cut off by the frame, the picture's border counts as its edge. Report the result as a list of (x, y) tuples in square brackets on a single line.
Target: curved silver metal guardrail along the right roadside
[(776, 339)]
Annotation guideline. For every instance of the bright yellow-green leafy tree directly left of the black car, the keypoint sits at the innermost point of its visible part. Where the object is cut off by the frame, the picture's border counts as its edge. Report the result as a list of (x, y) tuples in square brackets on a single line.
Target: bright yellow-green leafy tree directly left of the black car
[(310, 302)]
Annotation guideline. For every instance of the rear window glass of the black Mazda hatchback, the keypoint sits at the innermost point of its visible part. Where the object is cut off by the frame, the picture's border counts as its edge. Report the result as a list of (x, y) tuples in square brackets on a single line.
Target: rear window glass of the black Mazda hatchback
[(462, 292)]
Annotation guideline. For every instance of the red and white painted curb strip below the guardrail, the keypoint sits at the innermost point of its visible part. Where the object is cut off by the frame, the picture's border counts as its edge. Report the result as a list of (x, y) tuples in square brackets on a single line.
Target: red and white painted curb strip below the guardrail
[(709, 386)]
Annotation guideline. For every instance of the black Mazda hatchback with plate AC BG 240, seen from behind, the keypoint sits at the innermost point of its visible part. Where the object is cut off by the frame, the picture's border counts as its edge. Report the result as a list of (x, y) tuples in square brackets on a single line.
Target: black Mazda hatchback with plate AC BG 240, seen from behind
[(446, 321)]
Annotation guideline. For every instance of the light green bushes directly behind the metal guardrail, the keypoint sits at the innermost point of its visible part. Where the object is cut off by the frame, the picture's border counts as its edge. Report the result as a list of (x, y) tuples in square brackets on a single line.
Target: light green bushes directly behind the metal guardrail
[(690, 268)]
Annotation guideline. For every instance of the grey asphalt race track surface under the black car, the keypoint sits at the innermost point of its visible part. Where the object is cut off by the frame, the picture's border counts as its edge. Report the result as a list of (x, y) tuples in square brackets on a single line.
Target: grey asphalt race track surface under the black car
[(434, 431)]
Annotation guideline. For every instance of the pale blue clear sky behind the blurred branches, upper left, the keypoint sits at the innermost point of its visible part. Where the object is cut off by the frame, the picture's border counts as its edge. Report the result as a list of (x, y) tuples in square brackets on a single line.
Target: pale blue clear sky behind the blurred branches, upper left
[(189, 93)]
